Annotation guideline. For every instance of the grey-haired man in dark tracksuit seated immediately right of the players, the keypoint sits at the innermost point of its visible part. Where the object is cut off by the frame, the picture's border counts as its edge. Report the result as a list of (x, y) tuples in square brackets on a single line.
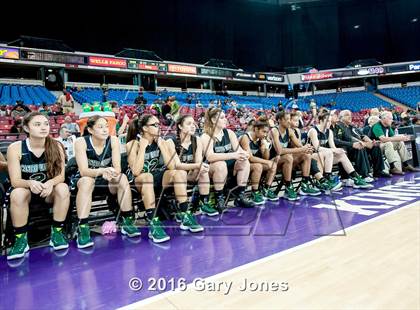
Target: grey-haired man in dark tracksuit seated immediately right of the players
[(358, 147)]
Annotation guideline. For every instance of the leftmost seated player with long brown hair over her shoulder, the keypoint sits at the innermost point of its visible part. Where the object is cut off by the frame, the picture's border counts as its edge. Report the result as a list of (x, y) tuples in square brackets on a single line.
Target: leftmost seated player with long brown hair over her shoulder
[(36, 170)]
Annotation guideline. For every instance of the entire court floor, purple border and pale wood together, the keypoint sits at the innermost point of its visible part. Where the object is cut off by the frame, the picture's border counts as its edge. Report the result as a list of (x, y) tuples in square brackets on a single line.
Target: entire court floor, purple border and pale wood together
[(354, 249)]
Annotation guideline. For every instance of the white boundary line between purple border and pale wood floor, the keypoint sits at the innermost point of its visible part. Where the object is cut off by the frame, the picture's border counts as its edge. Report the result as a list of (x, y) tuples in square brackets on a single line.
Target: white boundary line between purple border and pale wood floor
[(257, 262)]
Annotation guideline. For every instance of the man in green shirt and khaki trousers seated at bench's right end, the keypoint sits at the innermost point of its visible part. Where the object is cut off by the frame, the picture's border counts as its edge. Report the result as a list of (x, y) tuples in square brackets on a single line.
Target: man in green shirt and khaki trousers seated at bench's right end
[(392, 145)]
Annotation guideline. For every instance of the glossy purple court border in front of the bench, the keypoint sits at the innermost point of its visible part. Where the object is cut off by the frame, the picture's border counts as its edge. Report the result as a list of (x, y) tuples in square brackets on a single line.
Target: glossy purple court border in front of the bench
[(99, 278)]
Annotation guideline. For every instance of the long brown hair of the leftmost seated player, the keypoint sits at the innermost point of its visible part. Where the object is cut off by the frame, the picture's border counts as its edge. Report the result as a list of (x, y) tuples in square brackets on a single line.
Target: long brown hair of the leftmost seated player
[(54, 150)]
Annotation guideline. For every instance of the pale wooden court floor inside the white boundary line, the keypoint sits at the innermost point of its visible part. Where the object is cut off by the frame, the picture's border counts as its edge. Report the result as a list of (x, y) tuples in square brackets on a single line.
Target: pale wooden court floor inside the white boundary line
[(375, 266)]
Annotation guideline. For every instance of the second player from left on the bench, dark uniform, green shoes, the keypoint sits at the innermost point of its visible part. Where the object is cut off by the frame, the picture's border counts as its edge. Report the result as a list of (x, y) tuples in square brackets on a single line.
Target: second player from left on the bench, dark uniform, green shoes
[(99, 161)]
